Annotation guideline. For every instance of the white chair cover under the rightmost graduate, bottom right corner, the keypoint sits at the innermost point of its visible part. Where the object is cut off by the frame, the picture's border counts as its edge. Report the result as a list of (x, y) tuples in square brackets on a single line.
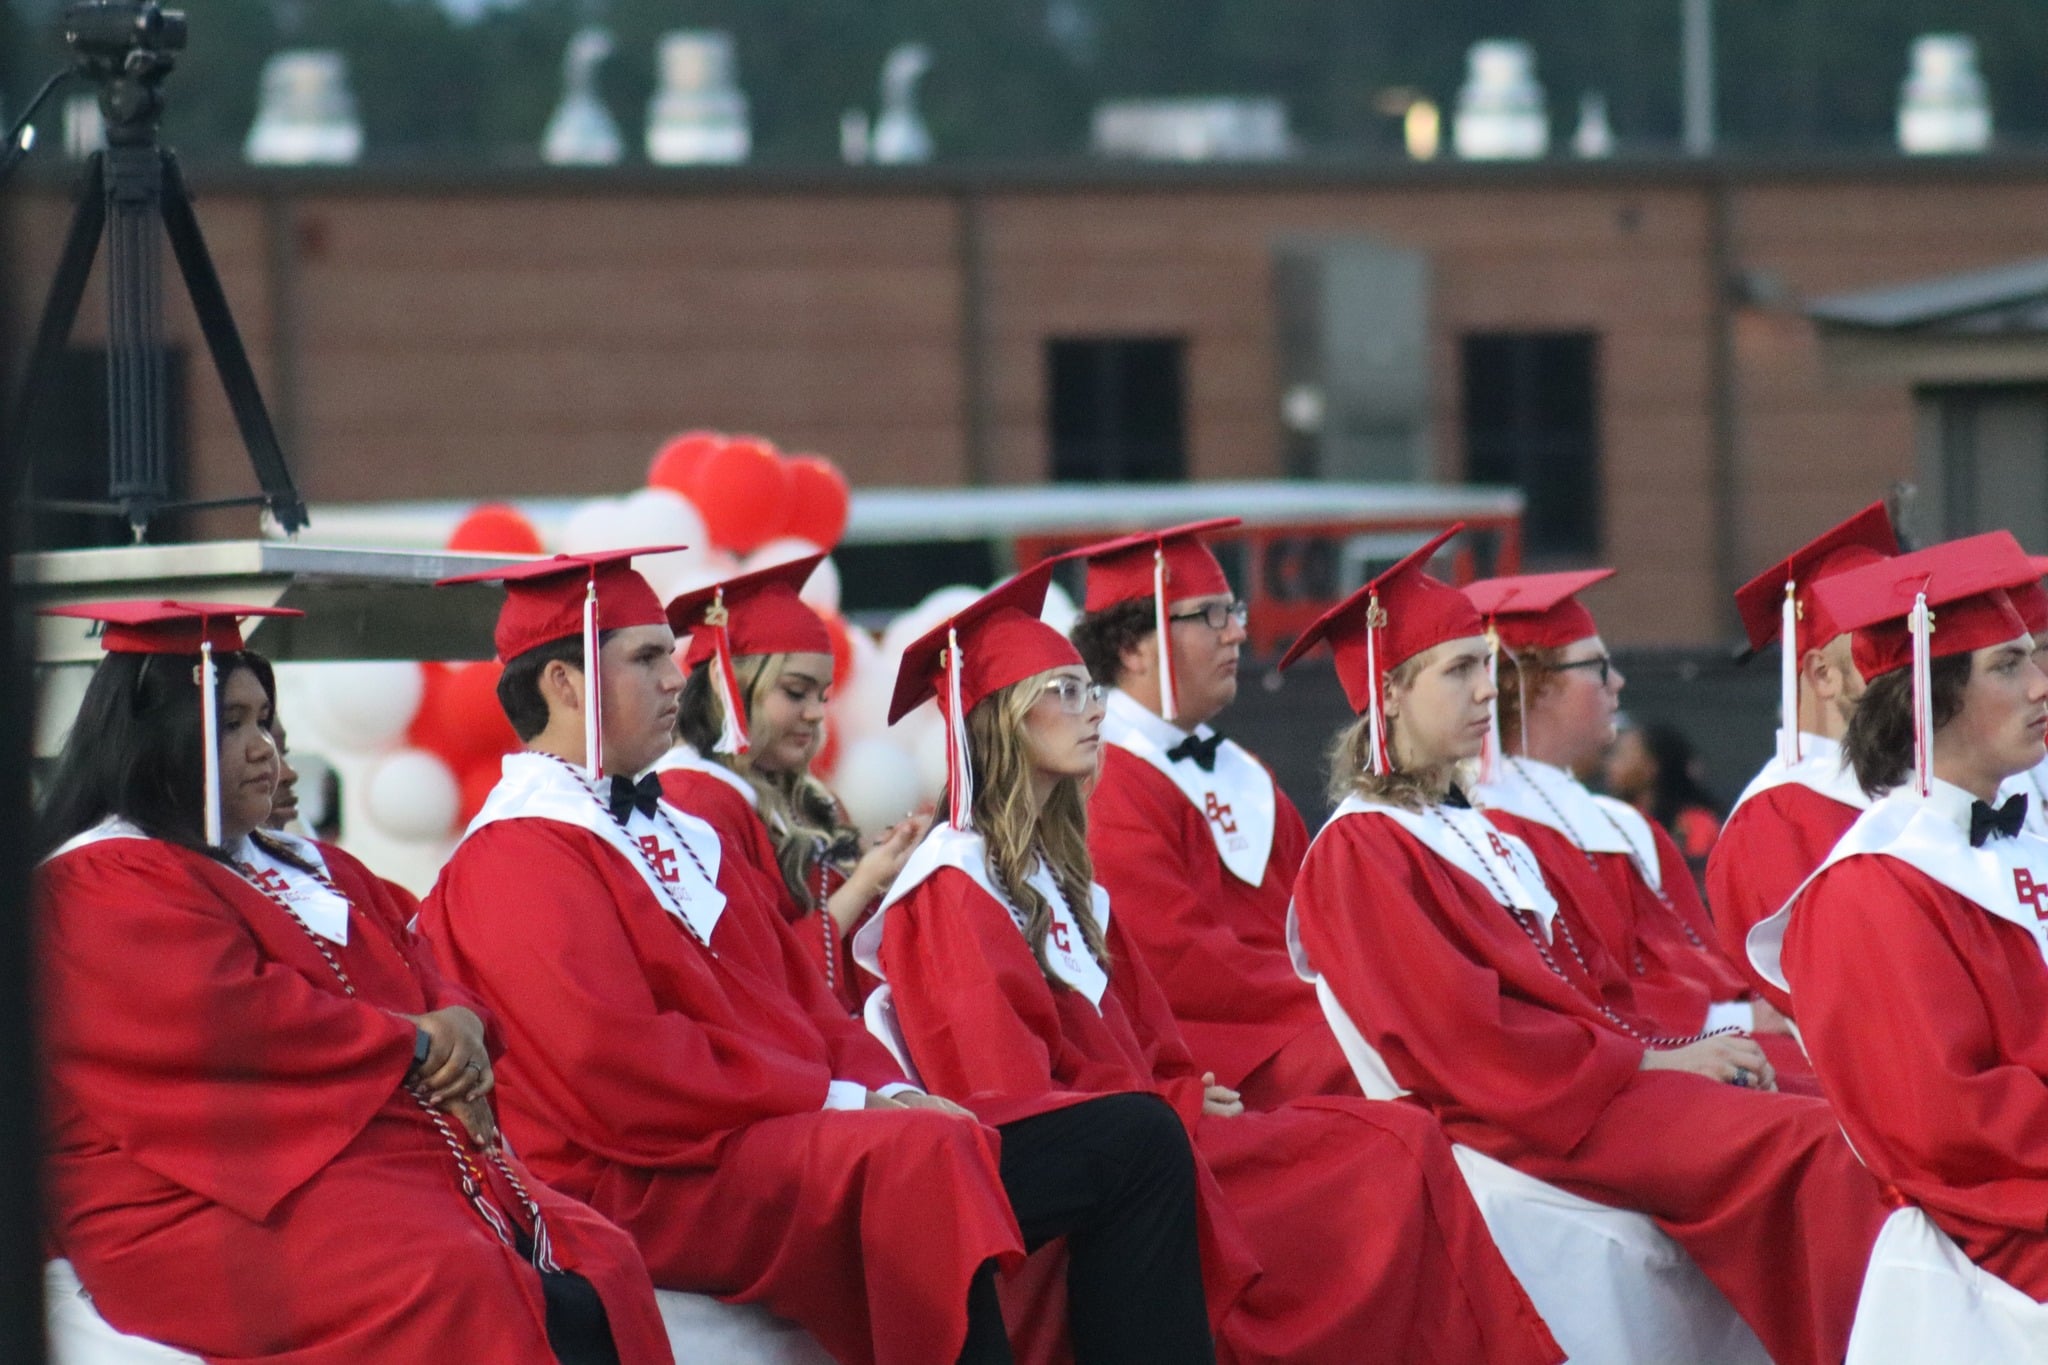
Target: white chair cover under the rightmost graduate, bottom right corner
[(1924, 1301)]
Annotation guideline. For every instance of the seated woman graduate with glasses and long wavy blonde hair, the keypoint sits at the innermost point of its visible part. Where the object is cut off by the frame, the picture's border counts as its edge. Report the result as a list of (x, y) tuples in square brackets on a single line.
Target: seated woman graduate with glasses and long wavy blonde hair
[(1019, 996)]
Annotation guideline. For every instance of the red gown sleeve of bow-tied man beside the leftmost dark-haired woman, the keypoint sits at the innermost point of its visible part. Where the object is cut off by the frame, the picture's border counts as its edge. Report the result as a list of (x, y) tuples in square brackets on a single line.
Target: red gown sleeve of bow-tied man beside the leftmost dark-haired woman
[(525, 916)]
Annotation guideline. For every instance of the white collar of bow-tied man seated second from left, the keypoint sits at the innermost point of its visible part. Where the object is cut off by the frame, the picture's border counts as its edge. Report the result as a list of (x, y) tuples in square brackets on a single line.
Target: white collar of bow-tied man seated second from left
[(546, 789)]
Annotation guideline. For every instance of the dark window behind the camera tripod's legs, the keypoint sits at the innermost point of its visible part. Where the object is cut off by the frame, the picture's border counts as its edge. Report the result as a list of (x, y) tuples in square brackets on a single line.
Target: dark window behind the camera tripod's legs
[(67, 447)]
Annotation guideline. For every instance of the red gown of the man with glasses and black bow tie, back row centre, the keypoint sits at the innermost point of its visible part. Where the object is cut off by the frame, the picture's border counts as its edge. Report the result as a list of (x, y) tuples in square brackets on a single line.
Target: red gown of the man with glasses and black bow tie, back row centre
[(1213, 942)]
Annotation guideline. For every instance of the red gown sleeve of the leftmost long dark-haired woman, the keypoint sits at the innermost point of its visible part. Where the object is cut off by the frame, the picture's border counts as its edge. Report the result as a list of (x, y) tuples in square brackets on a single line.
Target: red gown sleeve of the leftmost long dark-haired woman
[(210, 1063)]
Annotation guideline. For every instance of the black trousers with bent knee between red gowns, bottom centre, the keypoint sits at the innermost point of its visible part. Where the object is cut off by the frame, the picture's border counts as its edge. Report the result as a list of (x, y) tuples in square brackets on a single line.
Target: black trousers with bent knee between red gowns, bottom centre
[(1115, 1178)]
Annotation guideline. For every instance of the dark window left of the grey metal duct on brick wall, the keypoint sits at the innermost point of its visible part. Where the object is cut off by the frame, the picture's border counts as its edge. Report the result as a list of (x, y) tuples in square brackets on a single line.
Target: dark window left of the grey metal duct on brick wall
[(1117, 410)]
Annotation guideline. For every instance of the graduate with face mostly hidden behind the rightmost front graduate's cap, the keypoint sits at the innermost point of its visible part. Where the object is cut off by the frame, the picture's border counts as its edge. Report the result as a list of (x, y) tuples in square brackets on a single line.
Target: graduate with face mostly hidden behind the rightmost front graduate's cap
[(1805, 797)]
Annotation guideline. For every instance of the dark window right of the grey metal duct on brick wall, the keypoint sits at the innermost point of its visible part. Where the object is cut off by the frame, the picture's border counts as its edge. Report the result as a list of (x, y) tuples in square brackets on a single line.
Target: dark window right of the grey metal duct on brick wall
[(1533, 423)]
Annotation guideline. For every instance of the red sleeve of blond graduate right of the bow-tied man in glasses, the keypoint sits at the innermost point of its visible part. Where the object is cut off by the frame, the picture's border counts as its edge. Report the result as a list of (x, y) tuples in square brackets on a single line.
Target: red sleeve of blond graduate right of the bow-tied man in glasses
[(1418, 963)]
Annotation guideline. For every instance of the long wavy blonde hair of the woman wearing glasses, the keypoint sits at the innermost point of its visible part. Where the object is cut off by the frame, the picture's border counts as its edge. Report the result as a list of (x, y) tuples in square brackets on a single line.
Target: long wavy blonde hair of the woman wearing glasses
[(1017, 838)]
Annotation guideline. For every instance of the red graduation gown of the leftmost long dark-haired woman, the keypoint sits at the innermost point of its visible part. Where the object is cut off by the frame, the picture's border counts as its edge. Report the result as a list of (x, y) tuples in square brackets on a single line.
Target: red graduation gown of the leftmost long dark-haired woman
[(234, 1168)]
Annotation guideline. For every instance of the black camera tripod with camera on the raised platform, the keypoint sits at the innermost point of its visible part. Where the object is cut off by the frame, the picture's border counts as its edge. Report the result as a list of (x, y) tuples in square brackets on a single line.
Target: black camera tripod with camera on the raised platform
[(134, 189)]
